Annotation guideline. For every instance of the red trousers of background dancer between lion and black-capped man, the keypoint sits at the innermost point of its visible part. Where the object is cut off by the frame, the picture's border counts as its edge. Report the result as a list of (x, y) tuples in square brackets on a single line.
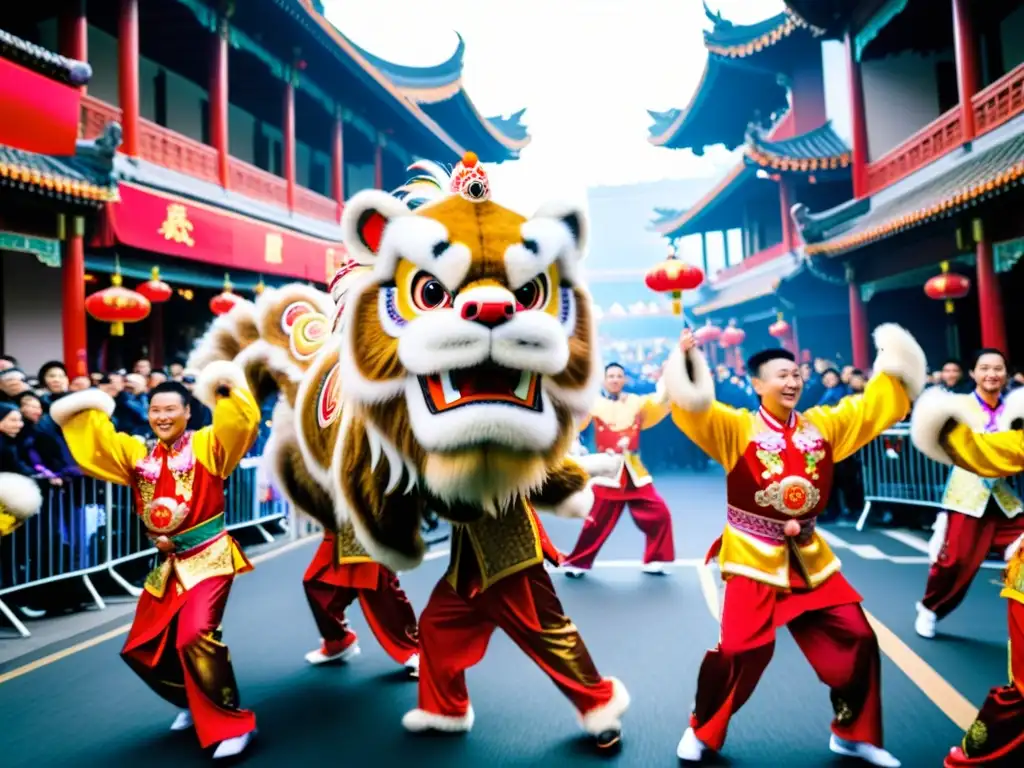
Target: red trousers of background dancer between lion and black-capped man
[(650, 514)]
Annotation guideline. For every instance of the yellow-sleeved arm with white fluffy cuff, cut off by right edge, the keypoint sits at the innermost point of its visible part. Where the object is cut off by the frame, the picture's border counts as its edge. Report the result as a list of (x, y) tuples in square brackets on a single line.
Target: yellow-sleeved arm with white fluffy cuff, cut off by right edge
[(940, 431)]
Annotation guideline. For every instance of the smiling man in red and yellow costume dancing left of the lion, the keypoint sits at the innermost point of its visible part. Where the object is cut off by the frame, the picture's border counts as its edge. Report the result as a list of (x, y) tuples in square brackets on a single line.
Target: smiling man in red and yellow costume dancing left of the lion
[(175, 643)]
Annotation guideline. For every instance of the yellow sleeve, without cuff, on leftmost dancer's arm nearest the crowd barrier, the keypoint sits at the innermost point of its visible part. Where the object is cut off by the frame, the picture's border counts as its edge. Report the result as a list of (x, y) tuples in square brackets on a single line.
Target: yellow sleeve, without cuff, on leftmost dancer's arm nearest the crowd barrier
[(100, 450)]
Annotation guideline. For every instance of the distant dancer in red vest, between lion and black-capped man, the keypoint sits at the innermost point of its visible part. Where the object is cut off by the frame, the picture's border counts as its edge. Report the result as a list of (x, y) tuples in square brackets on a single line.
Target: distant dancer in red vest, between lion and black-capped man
[(619, 418)]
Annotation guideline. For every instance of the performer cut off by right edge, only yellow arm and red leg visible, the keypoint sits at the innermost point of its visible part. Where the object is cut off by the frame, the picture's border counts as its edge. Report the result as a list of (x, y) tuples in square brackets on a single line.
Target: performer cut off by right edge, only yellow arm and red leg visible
[(944, 429)]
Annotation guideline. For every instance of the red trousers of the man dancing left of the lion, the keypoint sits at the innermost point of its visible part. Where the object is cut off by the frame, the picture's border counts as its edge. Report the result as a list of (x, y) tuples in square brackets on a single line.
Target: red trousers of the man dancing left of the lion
[(185, 662)]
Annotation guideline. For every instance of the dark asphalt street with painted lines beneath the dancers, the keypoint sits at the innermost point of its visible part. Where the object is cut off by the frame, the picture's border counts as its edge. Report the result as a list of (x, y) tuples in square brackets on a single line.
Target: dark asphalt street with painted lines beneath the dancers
[(89, 710)]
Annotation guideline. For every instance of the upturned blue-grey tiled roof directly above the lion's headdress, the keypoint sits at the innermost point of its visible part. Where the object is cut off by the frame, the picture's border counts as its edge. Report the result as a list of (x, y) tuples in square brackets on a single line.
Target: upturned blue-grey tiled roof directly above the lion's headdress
[(438, 90)]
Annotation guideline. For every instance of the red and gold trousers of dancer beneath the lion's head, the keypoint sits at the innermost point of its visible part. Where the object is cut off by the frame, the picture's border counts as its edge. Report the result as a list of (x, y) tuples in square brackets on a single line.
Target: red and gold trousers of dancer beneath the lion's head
[(455, 632)]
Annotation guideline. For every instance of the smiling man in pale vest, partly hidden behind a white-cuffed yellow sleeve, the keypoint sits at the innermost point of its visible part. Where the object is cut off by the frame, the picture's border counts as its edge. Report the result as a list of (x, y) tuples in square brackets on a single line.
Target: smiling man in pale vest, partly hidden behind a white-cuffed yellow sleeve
[(979, 516)]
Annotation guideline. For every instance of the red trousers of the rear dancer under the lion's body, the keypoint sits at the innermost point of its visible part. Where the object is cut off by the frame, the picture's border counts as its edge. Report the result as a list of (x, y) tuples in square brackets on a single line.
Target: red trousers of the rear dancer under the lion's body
[(385, 605)]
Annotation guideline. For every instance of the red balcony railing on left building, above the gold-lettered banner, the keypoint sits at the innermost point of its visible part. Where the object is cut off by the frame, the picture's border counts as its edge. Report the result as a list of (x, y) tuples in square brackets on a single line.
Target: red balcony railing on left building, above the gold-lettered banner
[(179, 153)]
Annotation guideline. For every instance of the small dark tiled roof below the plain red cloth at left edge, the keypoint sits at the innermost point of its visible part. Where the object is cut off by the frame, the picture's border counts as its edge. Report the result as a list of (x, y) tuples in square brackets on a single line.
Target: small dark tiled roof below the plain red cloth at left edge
[(86, 179)]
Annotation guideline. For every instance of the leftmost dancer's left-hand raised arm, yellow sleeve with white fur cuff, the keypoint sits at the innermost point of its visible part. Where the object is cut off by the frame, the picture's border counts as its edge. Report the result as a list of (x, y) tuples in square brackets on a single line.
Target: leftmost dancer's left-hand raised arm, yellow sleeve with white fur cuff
[(96, 446)]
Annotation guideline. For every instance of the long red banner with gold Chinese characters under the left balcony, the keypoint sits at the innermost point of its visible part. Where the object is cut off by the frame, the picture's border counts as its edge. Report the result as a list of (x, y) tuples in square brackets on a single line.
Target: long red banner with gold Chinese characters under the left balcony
[(165, 224)]
